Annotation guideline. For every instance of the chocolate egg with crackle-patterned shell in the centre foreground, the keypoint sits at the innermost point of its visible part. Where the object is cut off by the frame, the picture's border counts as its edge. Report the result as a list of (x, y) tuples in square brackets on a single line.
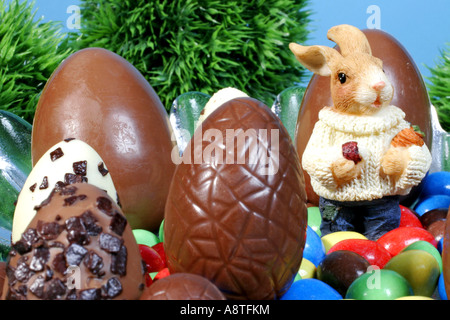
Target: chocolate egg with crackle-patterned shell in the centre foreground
[(236, 210)]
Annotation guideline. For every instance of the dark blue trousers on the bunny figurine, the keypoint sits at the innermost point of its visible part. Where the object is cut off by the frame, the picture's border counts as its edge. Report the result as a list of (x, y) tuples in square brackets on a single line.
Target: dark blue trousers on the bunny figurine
[(370, 218)]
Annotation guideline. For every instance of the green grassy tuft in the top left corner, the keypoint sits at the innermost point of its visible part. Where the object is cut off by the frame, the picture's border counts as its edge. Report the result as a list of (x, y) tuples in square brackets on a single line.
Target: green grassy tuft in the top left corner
[(30, 51)]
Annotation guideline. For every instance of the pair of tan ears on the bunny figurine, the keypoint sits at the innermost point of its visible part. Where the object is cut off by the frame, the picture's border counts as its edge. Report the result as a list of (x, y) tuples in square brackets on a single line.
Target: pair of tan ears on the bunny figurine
[(318, 58)]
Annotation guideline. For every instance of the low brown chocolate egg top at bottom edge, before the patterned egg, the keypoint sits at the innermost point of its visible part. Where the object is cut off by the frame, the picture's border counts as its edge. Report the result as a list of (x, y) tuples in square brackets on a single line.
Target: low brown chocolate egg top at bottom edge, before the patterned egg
[(182, 286)]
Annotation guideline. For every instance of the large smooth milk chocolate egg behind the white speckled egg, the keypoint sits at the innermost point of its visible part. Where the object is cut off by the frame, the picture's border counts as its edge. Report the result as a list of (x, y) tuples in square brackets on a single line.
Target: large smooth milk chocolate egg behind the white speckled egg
[(98, 97)]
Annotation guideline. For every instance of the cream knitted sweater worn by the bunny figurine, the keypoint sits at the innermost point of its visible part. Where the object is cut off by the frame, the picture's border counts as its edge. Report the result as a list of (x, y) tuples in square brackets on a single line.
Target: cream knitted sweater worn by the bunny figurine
[(373, 135)]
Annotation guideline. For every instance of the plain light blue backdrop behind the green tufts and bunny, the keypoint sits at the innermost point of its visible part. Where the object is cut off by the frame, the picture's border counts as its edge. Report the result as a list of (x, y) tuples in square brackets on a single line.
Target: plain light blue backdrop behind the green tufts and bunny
[(422, 27)]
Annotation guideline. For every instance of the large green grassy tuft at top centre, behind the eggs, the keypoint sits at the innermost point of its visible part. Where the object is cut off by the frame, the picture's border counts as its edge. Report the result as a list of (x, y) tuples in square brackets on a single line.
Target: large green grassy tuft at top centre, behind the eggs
[(192, 45)]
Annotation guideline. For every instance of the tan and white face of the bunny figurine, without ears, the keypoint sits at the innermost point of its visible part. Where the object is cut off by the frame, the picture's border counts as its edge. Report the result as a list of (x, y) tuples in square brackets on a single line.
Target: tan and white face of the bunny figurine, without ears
[(359, 85)]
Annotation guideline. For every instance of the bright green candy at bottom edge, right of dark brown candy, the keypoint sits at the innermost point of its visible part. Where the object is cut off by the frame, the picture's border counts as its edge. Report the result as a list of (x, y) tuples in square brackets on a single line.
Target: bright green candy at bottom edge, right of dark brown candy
[(379, 284)]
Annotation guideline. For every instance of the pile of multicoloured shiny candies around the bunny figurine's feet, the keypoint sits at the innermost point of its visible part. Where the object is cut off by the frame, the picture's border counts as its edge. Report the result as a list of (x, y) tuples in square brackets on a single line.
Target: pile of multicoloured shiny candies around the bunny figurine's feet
[(405, 263)]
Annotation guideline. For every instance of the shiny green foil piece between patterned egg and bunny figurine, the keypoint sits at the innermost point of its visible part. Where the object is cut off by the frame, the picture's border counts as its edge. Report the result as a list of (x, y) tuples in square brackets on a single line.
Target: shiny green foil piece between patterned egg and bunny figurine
[(287, 107)]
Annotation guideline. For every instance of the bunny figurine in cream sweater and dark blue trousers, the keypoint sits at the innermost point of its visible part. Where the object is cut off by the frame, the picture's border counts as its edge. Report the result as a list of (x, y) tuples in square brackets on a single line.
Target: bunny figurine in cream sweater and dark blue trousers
[(362, 154)]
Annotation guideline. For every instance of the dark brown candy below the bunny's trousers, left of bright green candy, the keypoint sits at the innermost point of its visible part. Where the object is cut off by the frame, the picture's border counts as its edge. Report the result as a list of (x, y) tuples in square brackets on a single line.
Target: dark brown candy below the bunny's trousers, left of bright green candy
[(340, 268)]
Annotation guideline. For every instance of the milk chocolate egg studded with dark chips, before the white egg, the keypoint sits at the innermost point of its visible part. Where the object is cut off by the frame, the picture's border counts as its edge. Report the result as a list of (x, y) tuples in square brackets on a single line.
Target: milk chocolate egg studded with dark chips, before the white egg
[(78, 246)]
